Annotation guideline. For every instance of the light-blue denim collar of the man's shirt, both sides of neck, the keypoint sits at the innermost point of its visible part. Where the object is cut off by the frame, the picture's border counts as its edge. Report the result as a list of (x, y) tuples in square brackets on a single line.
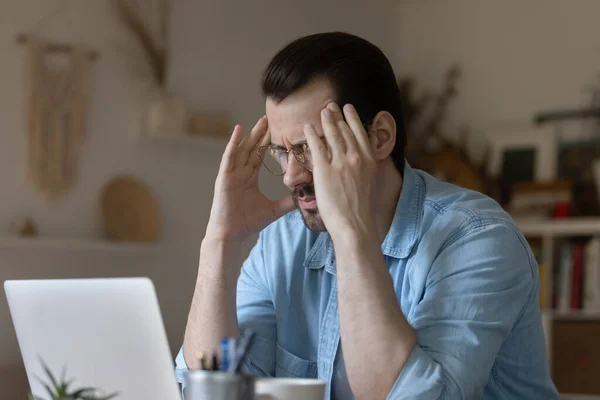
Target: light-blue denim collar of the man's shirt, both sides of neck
[(403, 233)]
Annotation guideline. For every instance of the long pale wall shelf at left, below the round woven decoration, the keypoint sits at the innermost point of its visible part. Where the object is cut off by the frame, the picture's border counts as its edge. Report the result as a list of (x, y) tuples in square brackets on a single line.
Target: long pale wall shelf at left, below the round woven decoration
[(73, 244)]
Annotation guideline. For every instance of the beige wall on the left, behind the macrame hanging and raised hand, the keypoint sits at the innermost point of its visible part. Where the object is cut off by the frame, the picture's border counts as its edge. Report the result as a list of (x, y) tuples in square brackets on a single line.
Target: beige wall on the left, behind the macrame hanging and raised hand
[(219, 50)]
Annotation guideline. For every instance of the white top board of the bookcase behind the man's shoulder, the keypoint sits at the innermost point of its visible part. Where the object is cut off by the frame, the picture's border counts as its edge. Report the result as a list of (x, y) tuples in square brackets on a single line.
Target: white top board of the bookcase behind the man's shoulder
[(566, 227)]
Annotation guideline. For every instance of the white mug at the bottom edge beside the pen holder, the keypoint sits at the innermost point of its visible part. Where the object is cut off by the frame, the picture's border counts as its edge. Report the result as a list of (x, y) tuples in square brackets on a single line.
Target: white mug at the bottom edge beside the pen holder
[(289, 389)]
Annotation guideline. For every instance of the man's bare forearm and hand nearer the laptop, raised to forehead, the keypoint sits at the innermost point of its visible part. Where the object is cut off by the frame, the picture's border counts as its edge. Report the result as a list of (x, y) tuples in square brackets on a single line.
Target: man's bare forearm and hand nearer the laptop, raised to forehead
[(239, 209)]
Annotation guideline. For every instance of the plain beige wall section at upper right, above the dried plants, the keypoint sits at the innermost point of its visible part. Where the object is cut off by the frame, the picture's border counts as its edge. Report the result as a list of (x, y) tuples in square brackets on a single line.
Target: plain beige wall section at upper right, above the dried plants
[(518, 57)]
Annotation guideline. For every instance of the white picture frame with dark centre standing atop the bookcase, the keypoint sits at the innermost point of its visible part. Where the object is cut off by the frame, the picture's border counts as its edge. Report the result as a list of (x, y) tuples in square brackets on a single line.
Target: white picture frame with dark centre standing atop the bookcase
[(533, 150)]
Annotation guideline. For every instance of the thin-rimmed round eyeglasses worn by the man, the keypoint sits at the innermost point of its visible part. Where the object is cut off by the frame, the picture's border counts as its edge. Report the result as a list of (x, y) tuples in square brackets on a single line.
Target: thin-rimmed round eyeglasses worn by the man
[(277, 159)]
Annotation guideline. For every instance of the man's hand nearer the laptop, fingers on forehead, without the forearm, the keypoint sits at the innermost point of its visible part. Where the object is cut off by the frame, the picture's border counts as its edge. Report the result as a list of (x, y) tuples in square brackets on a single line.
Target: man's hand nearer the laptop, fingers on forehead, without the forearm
[(239, 209)]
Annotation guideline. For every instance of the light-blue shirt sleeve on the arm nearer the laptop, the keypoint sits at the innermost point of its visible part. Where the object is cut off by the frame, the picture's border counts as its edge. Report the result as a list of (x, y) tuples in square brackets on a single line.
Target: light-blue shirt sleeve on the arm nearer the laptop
[(255, 311)]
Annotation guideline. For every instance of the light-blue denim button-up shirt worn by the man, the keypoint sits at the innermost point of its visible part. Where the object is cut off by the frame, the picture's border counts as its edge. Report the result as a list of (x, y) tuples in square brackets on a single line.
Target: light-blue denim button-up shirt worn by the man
[(465, 280)]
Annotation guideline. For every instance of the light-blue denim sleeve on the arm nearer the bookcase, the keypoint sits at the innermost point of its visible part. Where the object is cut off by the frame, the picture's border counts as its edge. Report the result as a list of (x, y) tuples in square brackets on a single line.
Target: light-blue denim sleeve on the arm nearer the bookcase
[(476, 290)]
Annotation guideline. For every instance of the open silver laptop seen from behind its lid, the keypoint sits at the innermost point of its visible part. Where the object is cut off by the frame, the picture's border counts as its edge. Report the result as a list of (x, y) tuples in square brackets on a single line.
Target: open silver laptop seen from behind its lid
[(106, 333)]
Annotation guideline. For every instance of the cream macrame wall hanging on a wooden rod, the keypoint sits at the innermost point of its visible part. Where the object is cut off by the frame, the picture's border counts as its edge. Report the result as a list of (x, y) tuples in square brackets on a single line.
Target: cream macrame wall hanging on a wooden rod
[(57, 95)]
